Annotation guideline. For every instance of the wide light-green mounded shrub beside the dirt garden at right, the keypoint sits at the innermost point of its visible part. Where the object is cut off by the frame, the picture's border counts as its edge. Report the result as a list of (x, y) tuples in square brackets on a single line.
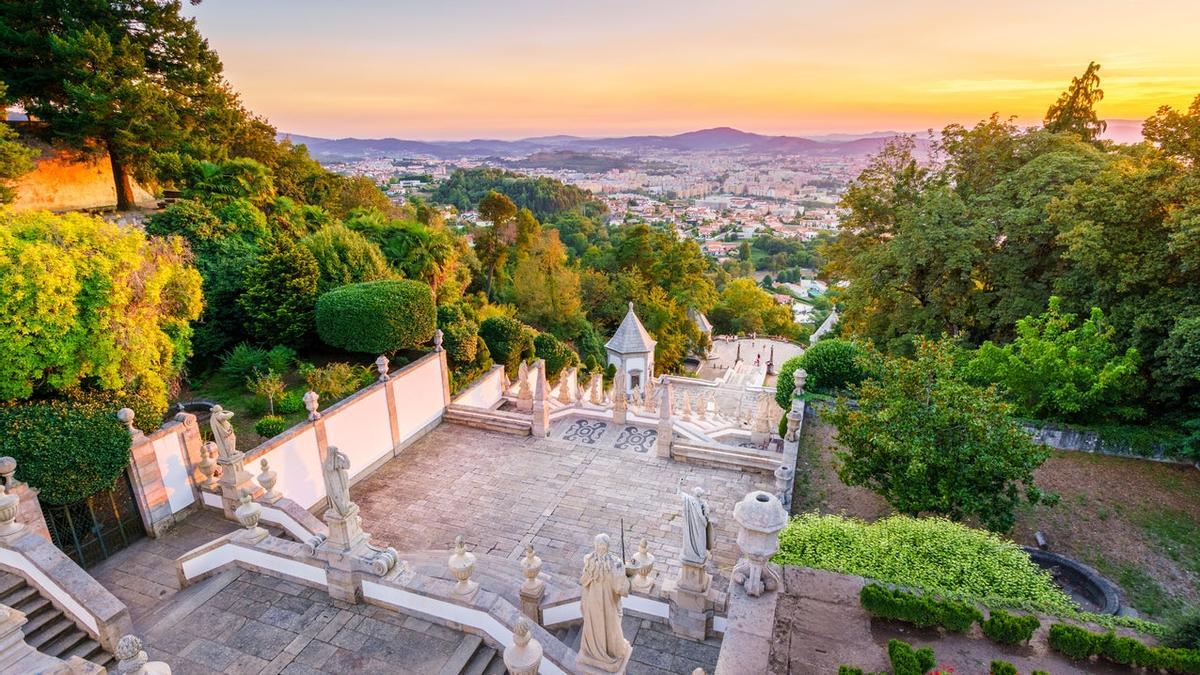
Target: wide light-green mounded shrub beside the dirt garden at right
[(932, 554)]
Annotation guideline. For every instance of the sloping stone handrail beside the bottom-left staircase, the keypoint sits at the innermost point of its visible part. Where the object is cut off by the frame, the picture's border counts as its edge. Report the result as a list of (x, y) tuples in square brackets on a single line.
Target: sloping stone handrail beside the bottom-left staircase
[(92, 607)]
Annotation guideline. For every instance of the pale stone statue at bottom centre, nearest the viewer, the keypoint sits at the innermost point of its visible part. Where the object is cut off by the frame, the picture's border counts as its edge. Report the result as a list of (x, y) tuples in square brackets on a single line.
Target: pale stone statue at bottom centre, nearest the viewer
[(603, 646)]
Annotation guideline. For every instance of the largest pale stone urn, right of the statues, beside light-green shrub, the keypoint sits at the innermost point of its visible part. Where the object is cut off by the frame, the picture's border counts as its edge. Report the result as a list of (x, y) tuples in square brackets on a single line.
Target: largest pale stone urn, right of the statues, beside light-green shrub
[(760, 517)]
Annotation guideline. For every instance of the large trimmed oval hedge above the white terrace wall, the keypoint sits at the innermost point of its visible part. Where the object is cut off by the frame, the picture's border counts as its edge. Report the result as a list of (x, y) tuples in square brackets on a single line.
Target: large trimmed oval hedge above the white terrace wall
[(377, 316)]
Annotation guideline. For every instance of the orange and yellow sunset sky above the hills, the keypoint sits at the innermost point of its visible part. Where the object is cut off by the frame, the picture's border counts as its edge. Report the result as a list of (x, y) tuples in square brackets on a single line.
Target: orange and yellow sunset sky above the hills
[(513, 69)]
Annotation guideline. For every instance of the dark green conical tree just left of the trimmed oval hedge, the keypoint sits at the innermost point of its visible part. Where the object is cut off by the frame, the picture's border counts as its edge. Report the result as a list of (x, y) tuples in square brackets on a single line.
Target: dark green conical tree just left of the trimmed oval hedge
[(281, 290)]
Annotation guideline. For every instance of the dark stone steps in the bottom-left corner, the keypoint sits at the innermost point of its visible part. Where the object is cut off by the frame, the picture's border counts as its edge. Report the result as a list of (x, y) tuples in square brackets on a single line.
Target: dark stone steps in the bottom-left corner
[(47, 629)]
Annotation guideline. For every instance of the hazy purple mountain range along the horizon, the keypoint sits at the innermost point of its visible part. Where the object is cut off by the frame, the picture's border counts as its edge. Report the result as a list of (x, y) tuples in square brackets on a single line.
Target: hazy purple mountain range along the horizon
[(709, 140)]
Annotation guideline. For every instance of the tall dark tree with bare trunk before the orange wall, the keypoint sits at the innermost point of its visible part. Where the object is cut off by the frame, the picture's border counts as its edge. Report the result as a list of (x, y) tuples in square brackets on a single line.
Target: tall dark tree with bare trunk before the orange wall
[(131, 80)]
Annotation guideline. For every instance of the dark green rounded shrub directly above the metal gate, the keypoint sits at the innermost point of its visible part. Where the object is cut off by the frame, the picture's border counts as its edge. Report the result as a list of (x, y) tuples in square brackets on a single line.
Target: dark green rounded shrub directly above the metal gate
[(68, 450)]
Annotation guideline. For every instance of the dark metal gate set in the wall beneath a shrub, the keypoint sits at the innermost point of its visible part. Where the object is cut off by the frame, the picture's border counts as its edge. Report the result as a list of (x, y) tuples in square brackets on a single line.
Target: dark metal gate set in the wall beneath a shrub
[(95, 529)]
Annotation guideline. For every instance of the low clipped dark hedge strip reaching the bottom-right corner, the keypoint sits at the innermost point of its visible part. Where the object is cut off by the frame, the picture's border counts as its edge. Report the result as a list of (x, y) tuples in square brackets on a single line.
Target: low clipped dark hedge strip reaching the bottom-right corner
[(1081, 644)]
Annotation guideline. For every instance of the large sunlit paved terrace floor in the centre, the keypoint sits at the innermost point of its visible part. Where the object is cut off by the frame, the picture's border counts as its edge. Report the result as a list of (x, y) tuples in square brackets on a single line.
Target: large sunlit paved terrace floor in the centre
[(503, 493)]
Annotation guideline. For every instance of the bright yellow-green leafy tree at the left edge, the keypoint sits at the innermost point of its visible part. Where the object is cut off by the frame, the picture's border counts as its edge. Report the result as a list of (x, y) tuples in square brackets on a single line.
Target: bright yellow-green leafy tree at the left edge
[(92, 304)]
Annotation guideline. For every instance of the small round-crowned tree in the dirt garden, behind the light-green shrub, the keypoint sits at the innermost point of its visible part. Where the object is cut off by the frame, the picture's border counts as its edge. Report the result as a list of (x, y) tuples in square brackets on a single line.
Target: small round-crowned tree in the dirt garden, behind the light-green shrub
[(929, 443)]
